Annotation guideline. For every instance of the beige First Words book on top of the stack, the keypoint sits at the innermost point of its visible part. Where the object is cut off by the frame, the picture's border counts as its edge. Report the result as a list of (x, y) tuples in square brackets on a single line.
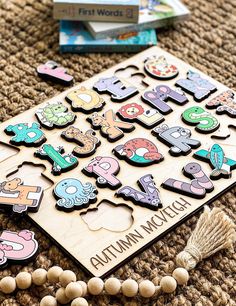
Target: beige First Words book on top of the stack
[(97, 10)]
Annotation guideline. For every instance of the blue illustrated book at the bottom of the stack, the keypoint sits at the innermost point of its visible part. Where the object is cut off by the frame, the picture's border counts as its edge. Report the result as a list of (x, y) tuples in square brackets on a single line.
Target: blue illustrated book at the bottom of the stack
[(75, 38)]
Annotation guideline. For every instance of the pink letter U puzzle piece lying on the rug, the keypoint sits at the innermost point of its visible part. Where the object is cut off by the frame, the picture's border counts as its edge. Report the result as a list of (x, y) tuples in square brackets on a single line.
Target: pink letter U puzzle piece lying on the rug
[(17, 247)]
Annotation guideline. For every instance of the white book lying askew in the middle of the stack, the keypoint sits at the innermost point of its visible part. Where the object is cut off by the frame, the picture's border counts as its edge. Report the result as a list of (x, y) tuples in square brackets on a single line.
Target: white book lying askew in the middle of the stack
[(152, 14)]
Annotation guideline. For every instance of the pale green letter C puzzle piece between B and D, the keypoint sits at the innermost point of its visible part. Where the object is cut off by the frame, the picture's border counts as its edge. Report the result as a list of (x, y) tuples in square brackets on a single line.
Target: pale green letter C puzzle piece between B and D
[(54, 115)]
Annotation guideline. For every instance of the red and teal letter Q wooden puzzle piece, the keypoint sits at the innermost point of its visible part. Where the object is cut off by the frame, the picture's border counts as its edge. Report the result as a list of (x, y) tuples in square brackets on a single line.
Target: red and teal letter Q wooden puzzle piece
[(138, 152)]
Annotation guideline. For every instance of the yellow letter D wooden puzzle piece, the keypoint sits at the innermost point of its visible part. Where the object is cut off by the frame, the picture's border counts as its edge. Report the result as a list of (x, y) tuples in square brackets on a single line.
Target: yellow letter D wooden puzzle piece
[(85, 100)]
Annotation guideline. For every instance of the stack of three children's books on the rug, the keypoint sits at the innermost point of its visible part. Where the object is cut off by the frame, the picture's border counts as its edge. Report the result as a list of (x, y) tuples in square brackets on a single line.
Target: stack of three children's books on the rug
[(114, 25)]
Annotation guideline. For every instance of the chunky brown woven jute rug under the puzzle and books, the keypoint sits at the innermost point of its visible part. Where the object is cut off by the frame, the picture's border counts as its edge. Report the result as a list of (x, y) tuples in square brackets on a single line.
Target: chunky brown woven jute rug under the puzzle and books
[(29, 37)]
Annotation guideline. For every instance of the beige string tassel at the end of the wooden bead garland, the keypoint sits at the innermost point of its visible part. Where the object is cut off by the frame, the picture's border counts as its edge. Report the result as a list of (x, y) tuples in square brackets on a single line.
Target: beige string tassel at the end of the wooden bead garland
[(214, 231)]
